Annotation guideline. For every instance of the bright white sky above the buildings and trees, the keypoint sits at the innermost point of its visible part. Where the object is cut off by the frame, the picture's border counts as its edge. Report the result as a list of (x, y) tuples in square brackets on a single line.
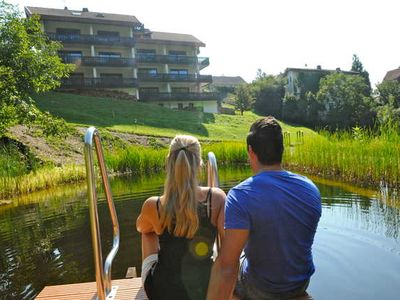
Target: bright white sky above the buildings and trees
[(244, 36)]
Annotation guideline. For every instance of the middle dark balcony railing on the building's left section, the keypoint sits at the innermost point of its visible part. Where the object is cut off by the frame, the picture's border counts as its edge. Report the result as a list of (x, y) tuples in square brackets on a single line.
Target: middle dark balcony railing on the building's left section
[(98, 61)]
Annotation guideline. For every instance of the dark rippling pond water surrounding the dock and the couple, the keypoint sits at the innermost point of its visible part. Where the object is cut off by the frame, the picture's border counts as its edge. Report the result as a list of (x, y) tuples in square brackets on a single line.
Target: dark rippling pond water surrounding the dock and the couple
[(45, 239)]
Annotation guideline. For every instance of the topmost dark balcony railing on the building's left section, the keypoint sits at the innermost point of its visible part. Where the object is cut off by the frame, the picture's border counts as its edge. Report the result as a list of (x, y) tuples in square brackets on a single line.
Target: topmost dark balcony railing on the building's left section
[(91, 39)]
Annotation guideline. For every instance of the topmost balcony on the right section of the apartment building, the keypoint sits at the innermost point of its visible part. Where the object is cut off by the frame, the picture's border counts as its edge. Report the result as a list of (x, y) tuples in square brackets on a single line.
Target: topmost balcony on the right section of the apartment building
[(173, 59)]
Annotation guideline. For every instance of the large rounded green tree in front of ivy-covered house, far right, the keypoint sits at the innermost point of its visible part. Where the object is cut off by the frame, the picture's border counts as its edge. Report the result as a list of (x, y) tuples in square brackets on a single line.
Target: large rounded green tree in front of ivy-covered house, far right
[(344, 102)]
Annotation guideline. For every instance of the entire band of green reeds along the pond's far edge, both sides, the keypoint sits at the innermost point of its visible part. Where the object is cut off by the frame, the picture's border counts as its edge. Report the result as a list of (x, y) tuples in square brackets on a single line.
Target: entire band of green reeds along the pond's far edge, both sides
[(368, 158)]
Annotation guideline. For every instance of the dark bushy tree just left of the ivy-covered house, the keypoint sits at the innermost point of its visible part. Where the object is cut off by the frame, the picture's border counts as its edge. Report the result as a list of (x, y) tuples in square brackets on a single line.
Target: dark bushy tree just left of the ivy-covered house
[(268, 91)]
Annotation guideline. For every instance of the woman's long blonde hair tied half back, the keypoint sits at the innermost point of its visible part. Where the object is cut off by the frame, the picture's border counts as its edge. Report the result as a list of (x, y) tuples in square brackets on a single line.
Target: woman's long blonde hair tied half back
[(178, 214)]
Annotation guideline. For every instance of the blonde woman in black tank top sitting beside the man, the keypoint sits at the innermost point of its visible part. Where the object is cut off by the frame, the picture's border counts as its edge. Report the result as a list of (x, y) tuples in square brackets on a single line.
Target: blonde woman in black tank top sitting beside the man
[(179, 228)]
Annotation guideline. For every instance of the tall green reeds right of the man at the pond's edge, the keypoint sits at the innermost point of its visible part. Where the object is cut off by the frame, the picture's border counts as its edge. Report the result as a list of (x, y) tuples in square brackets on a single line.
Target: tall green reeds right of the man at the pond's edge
[(363, 157)]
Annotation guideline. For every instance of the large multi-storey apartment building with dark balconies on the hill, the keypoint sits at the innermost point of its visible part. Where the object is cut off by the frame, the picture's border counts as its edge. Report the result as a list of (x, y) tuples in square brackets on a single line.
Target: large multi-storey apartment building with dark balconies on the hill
[(116, 52)]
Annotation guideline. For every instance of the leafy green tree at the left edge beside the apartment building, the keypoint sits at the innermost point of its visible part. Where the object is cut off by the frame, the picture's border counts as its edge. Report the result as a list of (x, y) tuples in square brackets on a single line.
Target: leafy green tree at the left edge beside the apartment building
[(28, 64)]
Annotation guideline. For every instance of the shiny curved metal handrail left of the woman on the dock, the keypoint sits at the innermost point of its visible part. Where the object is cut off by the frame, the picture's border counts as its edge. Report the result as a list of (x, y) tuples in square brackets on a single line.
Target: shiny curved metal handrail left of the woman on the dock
[(103, 275)]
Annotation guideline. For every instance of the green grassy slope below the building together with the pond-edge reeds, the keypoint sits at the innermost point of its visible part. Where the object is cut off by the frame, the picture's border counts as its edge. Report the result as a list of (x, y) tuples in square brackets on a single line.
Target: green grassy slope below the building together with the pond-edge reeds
[(362, 157)]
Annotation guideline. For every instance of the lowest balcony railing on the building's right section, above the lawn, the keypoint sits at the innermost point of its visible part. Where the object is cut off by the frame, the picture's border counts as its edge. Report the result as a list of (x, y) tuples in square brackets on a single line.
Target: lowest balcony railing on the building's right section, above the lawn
[(178, 96)]
